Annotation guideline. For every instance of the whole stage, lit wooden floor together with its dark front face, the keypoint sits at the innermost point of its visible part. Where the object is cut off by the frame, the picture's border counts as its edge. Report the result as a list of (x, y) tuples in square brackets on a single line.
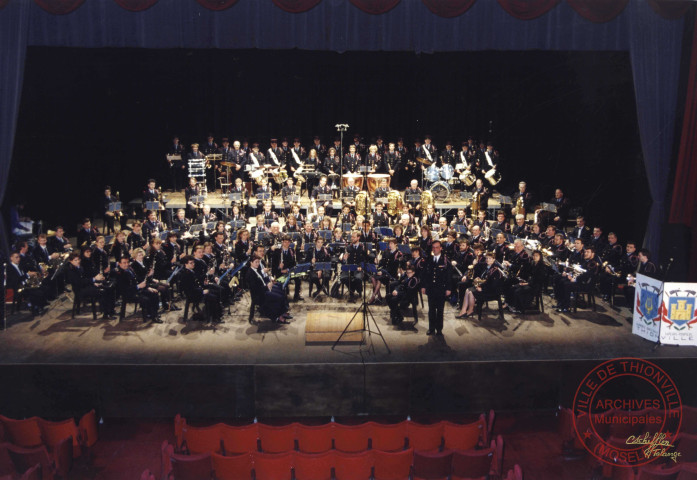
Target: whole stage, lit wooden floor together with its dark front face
[(53, 364)]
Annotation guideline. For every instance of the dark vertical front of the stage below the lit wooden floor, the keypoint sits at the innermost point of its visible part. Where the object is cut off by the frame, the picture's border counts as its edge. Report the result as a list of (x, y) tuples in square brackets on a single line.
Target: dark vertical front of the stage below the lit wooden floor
[(219, 391)]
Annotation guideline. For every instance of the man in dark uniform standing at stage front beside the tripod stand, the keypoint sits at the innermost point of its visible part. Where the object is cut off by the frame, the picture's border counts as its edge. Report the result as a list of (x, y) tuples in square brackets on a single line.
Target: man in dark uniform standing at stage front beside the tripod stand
[(435, 283)]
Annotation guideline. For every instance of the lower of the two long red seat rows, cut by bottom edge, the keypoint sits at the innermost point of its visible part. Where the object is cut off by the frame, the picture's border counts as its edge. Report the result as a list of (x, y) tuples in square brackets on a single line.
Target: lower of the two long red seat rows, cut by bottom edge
[(379, 465)]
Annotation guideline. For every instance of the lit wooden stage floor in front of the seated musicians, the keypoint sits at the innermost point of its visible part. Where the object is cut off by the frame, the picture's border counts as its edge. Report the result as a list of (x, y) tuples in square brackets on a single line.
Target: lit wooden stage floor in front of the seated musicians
[(55, 338)]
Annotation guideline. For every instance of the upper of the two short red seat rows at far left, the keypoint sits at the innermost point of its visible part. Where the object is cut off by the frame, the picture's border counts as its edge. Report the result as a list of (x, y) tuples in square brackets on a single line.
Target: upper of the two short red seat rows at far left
[(34, 432)]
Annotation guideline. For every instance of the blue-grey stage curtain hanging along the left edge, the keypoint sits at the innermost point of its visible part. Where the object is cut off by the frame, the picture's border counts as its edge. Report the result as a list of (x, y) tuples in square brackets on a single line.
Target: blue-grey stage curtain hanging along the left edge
[(13, 46)]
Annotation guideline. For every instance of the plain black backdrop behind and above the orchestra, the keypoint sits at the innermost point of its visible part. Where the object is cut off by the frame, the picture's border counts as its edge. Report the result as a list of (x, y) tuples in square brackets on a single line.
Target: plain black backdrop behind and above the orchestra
[(95, 116)]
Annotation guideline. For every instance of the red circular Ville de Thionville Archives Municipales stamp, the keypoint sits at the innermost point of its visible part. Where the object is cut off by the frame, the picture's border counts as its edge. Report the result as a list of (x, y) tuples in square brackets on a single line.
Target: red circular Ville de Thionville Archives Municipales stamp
[(627, 412)]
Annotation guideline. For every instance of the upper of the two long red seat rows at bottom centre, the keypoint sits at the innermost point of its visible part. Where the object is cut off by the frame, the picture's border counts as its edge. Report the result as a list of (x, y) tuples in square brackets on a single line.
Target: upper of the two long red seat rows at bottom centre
[(222, 438)]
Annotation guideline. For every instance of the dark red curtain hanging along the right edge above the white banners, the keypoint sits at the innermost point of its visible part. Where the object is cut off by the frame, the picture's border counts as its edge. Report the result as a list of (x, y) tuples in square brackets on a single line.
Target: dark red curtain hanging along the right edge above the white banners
[(684, 207)]
